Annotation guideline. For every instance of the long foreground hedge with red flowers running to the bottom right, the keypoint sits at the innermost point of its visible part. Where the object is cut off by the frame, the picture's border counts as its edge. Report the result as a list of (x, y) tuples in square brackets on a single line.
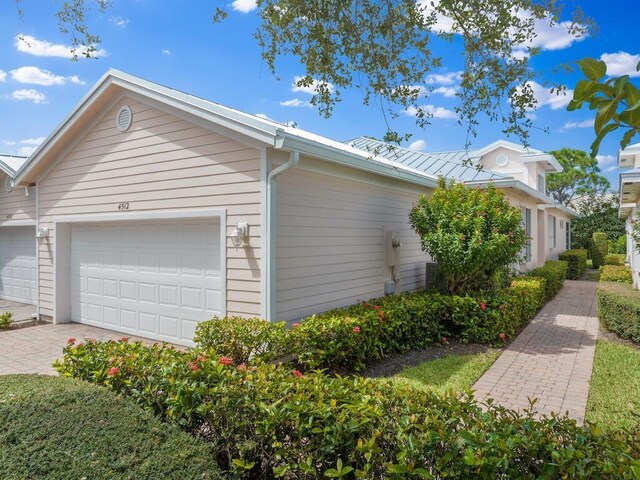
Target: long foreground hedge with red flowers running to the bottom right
[(268, 421)]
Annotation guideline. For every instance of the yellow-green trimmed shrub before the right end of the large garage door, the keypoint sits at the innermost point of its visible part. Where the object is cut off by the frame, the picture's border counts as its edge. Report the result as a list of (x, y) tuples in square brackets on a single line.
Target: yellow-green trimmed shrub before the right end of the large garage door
[(242, 338)]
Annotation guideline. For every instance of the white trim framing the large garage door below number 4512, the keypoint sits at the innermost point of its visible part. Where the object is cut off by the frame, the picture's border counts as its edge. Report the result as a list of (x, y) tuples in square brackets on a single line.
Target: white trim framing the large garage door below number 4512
[(62, 236)]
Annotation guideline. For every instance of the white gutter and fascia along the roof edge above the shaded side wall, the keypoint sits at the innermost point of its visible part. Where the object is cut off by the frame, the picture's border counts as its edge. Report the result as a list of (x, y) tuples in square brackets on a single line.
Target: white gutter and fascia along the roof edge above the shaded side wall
[(378, 166)]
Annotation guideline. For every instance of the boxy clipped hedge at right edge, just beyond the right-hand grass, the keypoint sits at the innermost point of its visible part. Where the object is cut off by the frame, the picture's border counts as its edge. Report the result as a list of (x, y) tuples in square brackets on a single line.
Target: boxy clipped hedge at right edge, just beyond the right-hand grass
[(619, 309)]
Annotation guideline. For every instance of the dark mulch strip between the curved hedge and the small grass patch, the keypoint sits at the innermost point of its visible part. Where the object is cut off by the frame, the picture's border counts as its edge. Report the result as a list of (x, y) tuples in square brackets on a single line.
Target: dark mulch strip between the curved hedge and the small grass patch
[(396, 363)]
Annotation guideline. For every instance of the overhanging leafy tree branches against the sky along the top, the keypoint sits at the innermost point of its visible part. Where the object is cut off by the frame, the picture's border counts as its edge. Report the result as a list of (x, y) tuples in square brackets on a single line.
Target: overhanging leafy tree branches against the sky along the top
[(386, 49)]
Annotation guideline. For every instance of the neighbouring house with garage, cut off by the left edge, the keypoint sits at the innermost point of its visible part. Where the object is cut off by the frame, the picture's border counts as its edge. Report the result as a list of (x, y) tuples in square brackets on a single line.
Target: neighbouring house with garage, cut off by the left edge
[(17, 231)]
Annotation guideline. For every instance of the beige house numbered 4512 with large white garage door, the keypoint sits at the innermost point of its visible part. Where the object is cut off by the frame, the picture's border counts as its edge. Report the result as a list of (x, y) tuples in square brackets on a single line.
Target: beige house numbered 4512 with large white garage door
[(156, 210)]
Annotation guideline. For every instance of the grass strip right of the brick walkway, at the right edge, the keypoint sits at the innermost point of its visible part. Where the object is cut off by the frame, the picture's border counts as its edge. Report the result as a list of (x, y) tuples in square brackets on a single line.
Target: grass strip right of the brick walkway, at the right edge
[(614, 400)]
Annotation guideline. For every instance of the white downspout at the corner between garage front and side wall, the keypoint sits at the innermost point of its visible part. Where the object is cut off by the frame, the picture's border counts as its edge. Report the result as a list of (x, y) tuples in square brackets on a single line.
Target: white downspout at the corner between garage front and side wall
[(271, 232)]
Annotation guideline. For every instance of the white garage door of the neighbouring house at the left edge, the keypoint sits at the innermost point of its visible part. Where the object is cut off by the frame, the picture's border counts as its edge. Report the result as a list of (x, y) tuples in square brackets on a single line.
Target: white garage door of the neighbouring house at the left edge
[(18, 264)]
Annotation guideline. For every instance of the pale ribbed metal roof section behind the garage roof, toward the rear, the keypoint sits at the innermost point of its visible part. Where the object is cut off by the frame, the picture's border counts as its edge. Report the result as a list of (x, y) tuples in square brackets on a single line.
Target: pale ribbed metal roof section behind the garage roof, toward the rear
[(444, 164)]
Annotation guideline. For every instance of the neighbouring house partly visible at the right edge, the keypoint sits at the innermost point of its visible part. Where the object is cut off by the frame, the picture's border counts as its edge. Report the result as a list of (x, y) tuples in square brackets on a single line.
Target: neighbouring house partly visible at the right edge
[(629, 198)]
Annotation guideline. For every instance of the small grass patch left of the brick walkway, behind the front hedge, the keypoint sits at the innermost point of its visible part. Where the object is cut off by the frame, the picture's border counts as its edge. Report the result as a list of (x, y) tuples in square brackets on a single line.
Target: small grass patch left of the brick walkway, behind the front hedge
[(456, 372)]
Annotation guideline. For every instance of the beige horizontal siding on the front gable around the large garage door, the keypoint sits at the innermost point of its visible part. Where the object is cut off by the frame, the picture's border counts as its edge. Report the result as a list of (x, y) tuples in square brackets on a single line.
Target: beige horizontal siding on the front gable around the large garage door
[(161, 163)]
